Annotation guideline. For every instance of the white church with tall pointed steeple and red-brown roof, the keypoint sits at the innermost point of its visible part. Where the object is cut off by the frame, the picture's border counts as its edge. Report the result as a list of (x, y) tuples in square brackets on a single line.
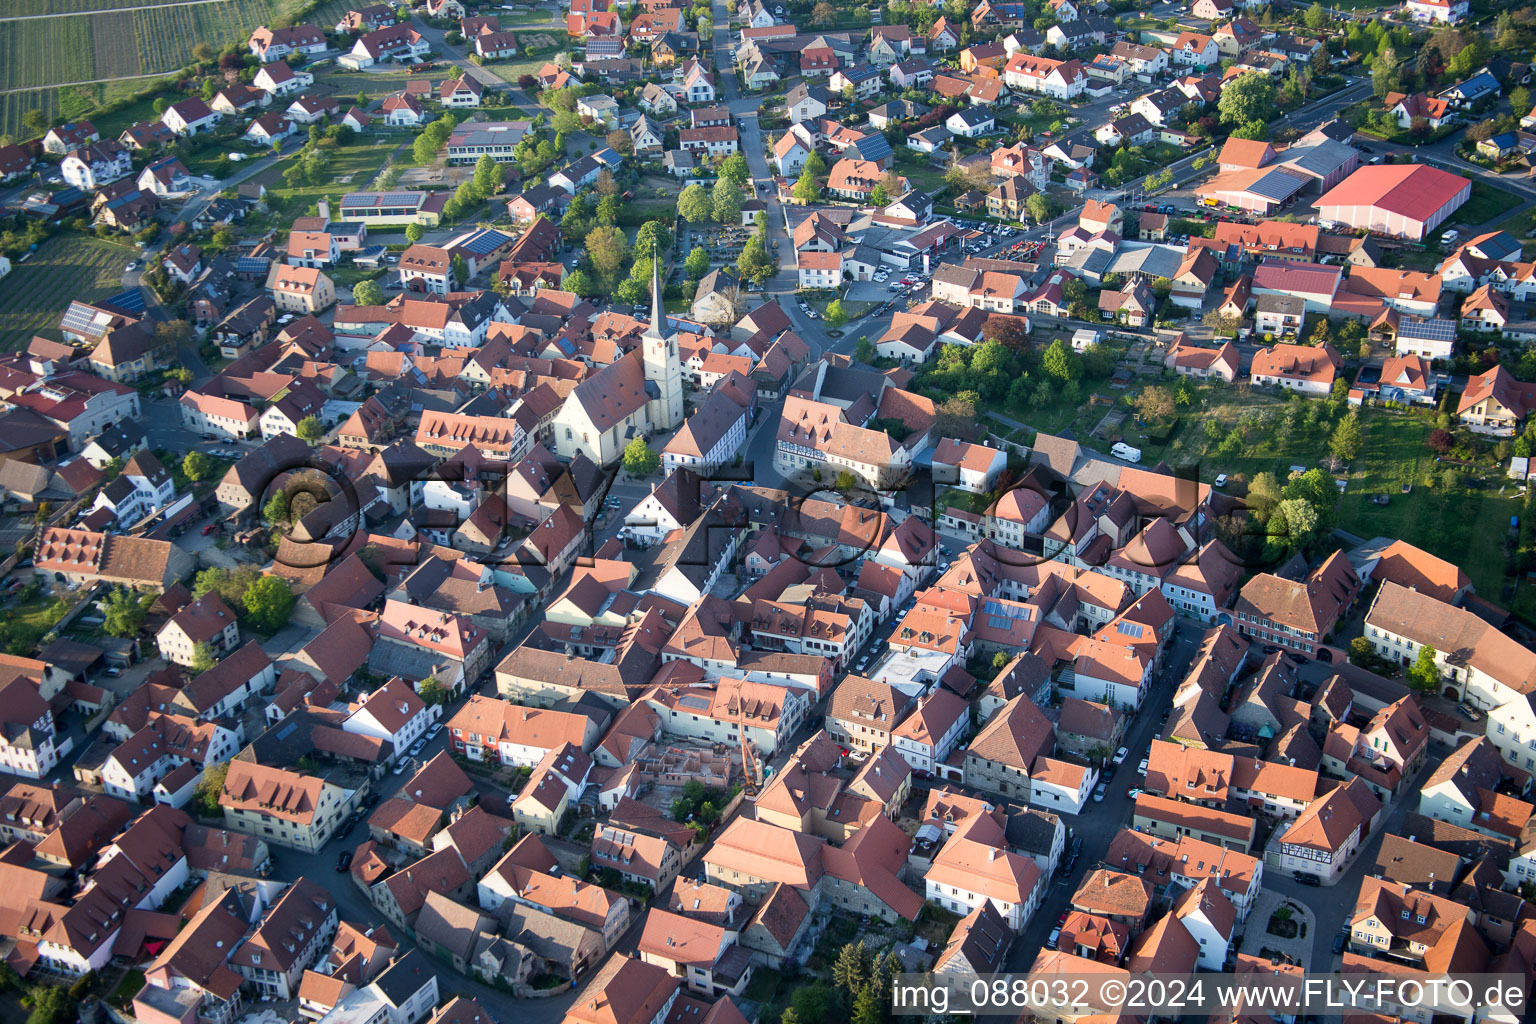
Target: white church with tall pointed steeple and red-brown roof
[(637, 395)]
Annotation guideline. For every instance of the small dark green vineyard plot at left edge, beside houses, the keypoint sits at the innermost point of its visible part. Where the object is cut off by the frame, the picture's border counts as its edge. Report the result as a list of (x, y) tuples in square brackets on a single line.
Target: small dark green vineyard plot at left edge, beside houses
[(65, 268)]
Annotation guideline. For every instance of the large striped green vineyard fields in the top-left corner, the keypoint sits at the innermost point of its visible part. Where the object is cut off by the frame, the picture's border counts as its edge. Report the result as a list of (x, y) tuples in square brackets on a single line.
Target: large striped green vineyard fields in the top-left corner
[(41, 55)]
